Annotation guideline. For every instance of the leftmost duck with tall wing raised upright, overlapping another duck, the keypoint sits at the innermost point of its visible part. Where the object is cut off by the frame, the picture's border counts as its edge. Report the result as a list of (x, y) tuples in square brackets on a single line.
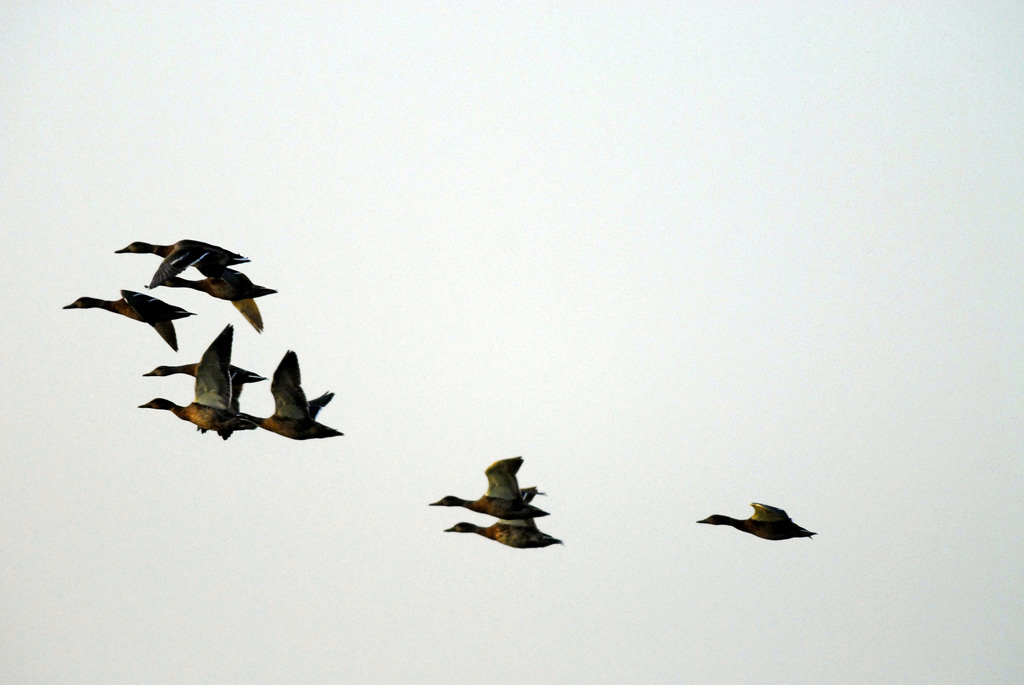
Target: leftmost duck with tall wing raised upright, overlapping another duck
[(212, 408)]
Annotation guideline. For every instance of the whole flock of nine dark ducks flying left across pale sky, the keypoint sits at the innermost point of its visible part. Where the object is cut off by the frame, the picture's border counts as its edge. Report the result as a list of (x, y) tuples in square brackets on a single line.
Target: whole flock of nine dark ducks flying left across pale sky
[(219, 386)]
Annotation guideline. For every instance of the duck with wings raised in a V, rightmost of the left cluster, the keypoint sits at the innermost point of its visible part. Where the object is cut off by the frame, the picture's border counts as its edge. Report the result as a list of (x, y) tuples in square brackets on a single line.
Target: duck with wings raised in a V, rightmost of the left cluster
[(294, 417)]
